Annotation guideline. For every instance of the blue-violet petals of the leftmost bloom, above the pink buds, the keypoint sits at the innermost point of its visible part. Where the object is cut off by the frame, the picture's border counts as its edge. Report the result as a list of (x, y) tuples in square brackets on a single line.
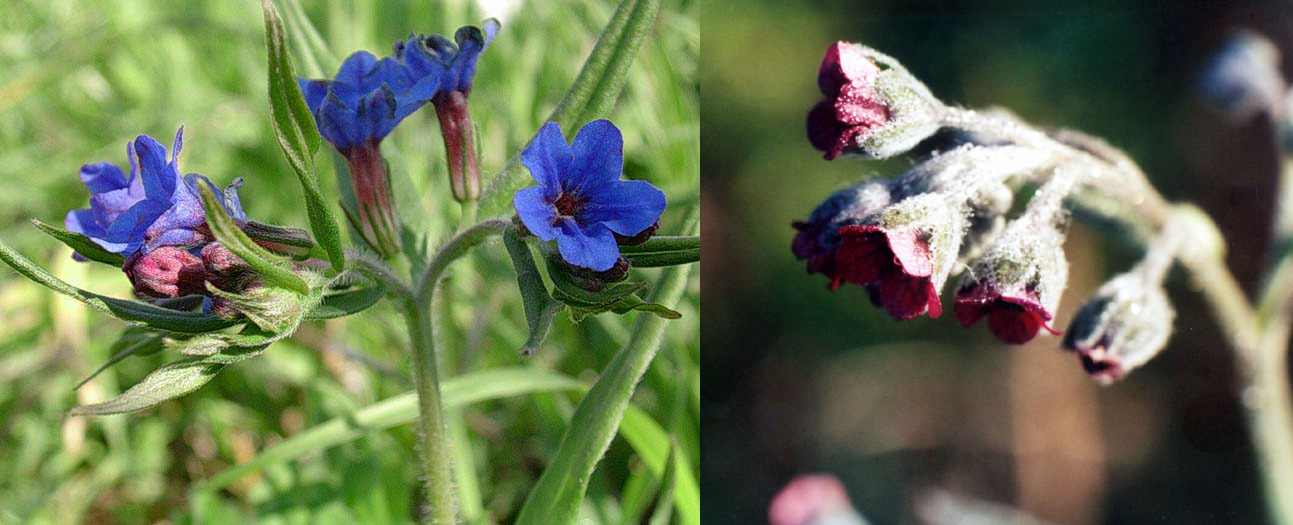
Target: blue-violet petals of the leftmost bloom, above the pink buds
[(152, 208)]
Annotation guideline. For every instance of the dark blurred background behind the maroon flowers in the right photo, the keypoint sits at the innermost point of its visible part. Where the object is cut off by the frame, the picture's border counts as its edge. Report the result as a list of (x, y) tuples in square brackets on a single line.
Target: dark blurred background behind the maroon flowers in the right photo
[(800, 380)]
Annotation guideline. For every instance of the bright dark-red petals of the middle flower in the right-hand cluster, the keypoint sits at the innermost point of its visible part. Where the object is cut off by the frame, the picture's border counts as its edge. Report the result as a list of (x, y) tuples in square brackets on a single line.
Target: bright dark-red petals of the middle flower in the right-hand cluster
[(897, 262)]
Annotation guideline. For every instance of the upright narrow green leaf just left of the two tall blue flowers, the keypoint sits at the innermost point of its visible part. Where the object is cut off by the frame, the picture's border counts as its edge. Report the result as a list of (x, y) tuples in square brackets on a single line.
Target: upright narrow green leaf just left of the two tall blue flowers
[(298, 136)]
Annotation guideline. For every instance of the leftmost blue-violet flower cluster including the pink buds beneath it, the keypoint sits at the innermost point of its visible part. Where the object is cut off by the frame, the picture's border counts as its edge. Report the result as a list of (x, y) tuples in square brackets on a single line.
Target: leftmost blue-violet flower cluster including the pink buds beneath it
[(155, 219)]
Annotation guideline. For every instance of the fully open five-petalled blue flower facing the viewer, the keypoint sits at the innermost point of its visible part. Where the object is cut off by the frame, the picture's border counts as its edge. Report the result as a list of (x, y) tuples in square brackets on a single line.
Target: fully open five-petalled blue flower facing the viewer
[(580, 201)]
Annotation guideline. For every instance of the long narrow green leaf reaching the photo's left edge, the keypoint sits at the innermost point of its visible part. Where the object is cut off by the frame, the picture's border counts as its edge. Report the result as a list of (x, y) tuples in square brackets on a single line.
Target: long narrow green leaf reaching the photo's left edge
[(133, 312)]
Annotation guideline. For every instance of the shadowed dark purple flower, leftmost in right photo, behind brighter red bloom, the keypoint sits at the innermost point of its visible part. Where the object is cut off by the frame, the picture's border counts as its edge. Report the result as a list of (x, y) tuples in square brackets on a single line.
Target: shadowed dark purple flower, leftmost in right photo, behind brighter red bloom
[(818, 239)]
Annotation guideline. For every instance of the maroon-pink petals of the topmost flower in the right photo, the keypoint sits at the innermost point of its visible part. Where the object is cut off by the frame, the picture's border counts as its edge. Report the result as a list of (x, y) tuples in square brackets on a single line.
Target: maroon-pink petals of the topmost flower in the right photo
[(851, 111)]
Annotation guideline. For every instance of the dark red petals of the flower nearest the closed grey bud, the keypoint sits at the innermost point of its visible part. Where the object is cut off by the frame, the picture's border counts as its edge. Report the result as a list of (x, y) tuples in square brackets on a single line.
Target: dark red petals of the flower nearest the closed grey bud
[(1014, 317)]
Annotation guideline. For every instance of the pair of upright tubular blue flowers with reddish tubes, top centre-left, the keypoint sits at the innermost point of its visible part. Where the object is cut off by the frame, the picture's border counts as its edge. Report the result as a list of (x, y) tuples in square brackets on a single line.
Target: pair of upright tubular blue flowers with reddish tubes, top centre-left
[(369, 98)]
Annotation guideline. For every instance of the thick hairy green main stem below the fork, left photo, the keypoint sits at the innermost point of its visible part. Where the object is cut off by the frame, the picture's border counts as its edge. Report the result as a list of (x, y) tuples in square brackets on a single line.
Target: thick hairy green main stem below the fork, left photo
[(438, 474)]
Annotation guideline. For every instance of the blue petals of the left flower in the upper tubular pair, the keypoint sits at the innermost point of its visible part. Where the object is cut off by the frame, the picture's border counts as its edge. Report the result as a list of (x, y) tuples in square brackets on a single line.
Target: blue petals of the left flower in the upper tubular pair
[(368, 99)]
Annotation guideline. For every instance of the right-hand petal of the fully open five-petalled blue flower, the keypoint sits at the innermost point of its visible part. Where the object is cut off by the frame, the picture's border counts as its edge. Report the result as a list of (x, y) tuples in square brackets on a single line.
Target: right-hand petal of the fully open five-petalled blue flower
[(626, 208)]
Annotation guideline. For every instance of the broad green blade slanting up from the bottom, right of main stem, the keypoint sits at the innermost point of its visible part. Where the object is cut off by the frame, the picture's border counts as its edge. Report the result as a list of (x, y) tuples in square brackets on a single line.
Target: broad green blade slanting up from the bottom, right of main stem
[(561, 489)]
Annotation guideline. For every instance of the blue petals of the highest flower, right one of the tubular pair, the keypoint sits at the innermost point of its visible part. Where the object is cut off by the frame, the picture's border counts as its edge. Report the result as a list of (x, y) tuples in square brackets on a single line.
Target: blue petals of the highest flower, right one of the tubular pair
[(436, 56)]
